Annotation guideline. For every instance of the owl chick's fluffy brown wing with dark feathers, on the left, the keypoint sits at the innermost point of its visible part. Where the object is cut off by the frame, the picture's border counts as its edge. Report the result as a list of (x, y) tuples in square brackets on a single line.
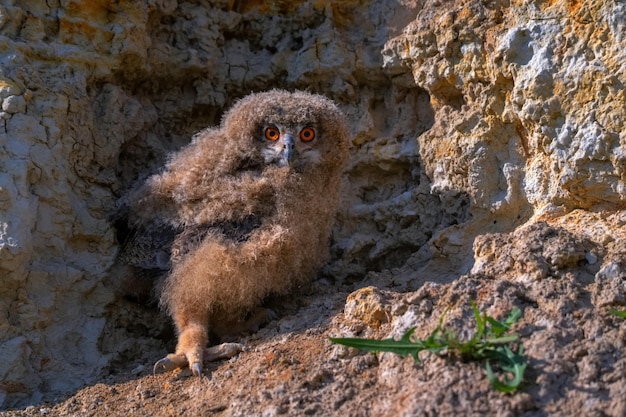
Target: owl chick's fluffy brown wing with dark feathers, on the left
[(153, 233)]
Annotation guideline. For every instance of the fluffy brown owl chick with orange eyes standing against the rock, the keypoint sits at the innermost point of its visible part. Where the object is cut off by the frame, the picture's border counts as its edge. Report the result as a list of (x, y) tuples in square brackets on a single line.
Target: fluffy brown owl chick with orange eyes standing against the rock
[(242, 212)]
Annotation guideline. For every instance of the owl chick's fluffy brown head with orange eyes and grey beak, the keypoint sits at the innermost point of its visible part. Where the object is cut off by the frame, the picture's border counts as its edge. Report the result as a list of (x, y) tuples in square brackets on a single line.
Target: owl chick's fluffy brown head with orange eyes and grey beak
[(298, 130)]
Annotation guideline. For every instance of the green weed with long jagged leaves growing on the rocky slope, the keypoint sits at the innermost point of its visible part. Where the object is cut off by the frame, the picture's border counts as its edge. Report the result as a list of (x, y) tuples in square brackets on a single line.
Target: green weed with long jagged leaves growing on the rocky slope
[(489, 343)]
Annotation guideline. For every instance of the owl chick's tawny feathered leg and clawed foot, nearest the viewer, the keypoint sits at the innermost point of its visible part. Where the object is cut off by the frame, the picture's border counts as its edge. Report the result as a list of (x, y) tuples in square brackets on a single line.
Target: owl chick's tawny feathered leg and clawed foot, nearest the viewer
[(192, 339)]
